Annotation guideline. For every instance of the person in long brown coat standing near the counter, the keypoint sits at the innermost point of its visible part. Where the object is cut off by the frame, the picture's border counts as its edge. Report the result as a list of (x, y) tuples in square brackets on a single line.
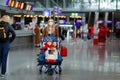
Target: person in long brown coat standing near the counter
[(37, 35)]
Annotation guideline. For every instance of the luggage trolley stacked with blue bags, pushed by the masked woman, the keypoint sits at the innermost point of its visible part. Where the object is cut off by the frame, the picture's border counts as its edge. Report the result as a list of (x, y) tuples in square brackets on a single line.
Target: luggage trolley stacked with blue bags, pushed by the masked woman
[(50, 65)]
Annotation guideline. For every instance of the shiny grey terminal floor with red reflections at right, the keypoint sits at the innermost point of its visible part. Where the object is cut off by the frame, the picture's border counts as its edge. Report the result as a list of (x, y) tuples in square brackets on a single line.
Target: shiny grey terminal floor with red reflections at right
[(85, 61)]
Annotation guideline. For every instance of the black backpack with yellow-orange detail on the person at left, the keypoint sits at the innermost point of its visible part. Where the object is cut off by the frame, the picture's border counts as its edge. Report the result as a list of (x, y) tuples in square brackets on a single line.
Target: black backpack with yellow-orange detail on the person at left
[(3, 33)]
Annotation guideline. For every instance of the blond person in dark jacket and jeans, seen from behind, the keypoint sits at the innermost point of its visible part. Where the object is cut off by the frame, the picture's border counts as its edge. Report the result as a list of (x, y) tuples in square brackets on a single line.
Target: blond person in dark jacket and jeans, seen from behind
[(5, 30)]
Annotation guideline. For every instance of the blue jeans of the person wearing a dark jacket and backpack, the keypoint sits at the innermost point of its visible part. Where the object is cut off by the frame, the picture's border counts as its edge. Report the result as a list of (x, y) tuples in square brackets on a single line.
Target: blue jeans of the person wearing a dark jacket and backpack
[(4, 49)]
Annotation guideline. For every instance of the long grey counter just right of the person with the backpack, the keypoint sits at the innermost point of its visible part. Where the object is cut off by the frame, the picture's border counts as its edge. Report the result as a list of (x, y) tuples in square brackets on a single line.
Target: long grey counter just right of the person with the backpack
[(24, 38)]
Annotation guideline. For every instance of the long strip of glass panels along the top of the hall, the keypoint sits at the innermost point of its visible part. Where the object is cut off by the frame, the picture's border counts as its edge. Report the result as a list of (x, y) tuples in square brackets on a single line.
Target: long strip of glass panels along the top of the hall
[(91, 5)]
